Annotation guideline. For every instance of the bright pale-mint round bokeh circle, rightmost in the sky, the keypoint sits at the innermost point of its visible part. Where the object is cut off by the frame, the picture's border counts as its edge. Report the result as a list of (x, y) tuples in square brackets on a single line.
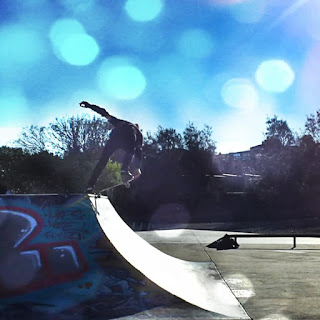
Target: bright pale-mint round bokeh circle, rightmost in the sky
[(274, 76)]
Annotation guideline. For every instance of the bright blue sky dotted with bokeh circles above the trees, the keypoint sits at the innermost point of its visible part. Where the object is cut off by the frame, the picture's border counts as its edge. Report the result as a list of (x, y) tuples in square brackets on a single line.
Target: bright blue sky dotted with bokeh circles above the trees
[(225, 63)]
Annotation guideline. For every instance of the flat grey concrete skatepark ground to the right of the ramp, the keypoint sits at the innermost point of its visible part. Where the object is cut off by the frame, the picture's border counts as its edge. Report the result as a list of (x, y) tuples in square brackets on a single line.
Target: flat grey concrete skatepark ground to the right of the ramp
[(271, 280)]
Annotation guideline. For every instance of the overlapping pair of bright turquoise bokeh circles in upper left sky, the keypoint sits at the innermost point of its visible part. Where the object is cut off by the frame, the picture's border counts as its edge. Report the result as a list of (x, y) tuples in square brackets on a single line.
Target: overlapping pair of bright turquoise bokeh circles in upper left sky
[(72, 44)]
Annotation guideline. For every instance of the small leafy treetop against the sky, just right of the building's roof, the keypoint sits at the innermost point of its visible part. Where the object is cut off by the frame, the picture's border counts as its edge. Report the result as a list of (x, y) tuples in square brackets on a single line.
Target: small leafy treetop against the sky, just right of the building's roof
[(279, 130)]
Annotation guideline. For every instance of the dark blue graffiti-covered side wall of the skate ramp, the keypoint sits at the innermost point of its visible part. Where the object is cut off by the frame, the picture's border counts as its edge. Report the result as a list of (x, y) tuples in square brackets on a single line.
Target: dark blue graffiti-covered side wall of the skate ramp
[(54, 258)]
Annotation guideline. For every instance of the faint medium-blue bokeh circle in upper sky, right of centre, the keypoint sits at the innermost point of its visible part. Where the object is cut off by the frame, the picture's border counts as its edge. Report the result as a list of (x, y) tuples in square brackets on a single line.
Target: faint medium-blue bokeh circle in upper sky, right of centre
[(196, 43)]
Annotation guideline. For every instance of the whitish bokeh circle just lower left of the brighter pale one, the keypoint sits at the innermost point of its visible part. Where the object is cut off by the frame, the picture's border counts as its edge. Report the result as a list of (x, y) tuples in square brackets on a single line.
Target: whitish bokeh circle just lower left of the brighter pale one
[(240, 93)]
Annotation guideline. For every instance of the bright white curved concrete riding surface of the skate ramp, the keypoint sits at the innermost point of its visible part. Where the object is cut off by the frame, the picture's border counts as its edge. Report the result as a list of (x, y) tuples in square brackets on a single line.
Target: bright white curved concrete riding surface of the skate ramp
[(197, 283)]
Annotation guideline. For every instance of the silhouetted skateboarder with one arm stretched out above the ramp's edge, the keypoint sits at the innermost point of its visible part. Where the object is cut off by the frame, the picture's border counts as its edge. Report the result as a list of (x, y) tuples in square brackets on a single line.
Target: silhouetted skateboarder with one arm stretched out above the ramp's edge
[(124, 135)]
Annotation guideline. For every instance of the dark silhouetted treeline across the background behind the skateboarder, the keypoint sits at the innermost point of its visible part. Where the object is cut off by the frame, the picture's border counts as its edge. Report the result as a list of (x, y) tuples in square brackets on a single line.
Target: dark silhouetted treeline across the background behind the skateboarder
[(183, 179)]
